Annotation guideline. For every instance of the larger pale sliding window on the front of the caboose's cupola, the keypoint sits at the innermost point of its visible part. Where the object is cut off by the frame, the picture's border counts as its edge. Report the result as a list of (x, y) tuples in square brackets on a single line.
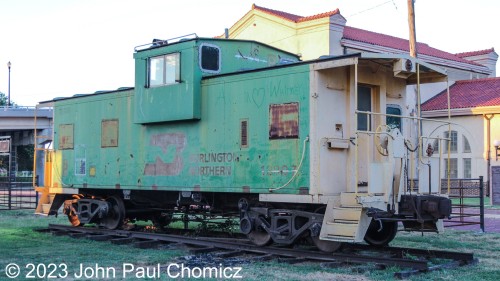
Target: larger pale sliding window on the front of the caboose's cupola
[(164, 70)]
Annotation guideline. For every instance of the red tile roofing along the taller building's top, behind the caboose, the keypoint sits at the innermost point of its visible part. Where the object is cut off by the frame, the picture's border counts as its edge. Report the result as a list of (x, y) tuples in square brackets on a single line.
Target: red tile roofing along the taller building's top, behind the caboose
[(369, 37)]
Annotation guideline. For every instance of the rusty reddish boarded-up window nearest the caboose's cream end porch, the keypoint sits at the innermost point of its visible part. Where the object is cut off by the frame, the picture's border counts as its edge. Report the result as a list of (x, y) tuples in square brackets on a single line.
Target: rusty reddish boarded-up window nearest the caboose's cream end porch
[(284, 121)]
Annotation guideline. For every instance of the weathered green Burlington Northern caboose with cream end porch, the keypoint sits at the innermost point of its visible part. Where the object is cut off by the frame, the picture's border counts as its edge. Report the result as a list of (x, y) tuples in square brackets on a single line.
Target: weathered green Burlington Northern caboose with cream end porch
[(238, 127)]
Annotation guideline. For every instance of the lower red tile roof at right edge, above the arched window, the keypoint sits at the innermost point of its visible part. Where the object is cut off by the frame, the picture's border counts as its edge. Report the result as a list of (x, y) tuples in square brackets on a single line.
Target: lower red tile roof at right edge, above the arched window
[(467, 94)]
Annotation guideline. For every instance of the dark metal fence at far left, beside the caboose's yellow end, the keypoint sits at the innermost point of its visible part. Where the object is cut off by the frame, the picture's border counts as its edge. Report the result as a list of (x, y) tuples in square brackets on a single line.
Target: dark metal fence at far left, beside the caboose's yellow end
[(17, 194)]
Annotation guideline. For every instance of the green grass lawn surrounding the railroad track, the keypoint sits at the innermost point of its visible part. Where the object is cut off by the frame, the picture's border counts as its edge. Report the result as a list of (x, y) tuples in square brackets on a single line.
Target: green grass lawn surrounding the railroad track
[(21, 245)]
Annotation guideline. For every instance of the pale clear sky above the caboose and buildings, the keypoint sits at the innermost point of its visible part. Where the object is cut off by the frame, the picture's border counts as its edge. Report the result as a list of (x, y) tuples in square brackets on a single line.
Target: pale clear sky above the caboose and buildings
[(59, 48)]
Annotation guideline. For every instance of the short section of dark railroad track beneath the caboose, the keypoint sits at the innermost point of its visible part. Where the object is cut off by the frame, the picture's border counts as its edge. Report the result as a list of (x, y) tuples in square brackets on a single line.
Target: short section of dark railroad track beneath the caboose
[(413, 261)]
